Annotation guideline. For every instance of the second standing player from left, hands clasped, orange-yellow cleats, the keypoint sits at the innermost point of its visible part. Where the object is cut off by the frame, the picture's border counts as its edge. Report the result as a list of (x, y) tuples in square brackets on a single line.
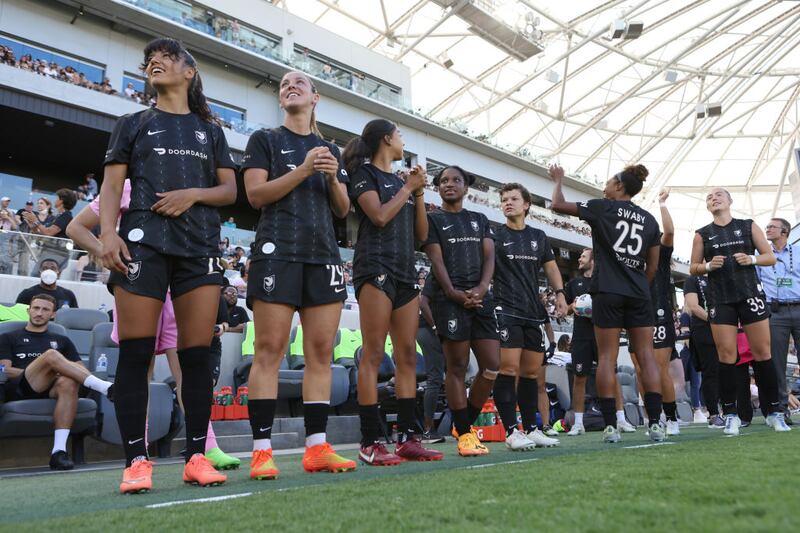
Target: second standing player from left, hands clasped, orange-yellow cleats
[(295, 178)]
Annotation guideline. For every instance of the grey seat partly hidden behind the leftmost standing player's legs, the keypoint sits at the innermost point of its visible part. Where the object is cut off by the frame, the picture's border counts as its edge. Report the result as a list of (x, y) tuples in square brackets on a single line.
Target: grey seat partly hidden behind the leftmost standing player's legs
[(161, 404)]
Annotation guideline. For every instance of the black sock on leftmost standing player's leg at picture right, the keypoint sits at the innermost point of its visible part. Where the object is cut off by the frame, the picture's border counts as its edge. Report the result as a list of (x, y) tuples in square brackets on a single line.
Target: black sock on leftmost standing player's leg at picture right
[(197, 391)]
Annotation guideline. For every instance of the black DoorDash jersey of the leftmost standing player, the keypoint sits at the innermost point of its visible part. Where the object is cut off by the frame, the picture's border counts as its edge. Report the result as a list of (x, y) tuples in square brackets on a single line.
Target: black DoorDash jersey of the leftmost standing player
[(166, 152)]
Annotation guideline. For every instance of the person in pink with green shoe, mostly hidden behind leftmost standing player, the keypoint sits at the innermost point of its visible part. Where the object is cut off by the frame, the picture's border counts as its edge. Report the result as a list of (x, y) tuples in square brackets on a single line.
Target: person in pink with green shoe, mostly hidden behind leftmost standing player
[(80, 231)]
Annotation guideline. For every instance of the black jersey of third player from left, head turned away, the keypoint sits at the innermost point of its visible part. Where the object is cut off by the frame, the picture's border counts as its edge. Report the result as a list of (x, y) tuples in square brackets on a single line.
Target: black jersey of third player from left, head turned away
[(386, 250)]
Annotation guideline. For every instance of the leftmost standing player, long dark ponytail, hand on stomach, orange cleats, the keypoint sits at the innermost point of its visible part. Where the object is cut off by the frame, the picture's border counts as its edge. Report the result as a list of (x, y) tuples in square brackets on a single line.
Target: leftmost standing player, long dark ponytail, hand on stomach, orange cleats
[(181, 170)]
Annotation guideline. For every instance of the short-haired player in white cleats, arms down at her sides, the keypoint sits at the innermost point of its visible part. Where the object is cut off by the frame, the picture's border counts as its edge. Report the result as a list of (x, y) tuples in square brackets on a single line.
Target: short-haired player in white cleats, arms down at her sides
[(520, 252)]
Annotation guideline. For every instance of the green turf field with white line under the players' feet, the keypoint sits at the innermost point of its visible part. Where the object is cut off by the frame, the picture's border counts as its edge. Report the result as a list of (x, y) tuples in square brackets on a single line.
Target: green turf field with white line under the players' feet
[(700, 481)]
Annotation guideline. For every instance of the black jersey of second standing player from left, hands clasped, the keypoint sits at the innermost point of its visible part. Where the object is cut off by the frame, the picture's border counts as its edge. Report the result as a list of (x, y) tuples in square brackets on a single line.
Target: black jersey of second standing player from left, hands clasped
[(299, 227)]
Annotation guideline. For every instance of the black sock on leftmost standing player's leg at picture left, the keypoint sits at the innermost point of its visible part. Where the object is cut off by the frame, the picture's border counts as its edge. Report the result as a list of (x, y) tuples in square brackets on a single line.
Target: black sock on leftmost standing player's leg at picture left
[(131, 392)]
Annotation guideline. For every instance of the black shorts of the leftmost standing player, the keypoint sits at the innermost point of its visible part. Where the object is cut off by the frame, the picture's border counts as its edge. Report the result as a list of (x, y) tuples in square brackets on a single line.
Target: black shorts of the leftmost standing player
[(151, 273)]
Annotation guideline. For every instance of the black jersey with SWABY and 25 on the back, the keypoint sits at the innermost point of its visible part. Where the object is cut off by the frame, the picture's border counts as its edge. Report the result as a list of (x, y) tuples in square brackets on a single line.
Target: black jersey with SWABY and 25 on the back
[(622, 232)]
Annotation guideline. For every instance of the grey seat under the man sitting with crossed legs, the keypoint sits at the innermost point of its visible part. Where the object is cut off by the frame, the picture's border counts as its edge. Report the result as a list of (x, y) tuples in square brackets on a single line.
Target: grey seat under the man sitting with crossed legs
[(34, 418)]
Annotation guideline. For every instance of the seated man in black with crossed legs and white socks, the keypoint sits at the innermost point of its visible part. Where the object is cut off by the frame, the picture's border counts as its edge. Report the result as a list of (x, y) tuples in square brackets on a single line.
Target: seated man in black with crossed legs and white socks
[(43, 365)]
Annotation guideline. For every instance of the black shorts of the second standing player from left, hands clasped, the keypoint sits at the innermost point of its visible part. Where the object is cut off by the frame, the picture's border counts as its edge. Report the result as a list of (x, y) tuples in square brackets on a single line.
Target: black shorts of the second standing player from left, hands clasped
[(297, 284)]
